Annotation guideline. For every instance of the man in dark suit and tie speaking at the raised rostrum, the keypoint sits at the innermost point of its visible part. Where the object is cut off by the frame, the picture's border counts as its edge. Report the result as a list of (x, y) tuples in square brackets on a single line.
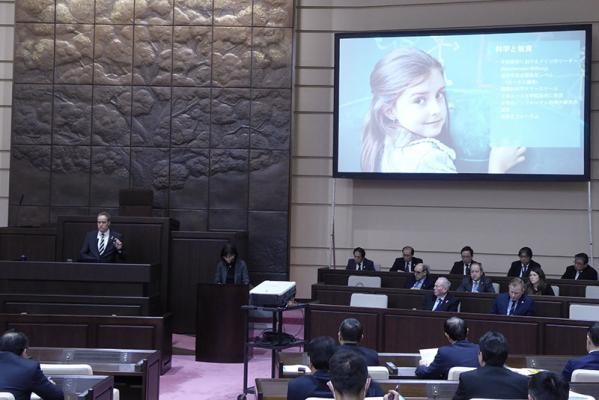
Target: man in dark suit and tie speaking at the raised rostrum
[(103, 245)]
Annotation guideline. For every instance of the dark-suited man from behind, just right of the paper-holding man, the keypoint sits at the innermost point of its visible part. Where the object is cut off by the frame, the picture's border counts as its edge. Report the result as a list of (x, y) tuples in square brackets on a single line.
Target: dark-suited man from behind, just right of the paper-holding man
[(492, 379)]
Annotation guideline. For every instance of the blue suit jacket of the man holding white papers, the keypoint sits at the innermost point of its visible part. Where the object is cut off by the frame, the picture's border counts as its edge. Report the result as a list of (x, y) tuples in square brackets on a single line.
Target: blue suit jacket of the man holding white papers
[(458, 354)]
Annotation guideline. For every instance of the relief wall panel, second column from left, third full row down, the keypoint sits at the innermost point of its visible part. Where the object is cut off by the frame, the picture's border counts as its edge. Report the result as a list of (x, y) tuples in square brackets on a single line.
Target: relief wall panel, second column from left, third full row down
[(70, 175)]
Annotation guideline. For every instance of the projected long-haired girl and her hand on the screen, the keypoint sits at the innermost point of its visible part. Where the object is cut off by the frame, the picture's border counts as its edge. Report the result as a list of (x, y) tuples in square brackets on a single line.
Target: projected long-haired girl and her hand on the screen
[(408, 119)]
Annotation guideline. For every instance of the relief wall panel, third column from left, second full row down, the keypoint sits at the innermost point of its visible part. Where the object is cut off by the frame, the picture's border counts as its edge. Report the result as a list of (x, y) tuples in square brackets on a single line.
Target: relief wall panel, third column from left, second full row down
[(112, 115)]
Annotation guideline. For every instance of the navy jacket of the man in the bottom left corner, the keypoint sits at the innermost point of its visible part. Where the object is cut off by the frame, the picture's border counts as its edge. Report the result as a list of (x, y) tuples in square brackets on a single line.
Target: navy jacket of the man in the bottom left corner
[(21, 377)]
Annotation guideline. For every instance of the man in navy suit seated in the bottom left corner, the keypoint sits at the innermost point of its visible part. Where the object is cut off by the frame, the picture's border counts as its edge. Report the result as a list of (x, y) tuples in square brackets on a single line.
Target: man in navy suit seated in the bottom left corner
[(20, 375)]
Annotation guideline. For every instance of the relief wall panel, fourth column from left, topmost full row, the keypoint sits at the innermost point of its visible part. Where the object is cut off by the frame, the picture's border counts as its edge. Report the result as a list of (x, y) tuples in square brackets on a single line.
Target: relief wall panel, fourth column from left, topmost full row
[(152, 63)]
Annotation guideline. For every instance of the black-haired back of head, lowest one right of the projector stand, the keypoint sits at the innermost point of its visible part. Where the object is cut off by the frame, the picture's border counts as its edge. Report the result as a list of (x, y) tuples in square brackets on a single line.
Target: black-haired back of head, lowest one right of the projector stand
[(349, 375)]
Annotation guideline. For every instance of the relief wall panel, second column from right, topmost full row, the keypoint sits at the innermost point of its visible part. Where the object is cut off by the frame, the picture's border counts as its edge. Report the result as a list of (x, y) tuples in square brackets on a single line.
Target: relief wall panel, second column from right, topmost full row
[(231, 57)]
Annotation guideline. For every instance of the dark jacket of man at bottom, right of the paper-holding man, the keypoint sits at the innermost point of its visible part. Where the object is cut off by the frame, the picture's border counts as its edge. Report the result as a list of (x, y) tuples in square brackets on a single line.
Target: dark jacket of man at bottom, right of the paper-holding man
[(492, 382)]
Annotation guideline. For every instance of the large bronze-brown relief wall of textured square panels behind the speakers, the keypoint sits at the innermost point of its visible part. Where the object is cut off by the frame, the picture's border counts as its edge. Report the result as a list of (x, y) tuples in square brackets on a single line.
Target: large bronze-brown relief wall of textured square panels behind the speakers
[(191, 98)]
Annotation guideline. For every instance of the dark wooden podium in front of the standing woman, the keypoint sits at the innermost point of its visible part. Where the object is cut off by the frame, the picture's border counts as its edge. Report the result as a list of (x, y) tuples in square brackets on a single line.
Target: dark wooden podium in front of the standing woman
[(221, 323)]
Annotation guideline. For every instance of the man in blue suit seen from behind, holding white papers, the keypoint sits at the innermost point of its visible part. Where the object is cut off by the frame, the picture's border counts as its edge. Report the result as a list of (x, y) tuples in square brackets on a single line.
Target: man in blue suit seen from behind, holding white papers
[(459, 353)]
